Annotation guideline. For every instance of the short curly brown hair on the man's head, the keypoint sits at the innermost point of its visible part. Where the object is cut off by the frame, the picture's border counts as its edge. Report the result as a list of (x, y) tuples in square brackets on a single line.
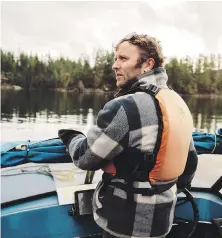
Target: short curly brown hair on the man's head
[(149, 47)]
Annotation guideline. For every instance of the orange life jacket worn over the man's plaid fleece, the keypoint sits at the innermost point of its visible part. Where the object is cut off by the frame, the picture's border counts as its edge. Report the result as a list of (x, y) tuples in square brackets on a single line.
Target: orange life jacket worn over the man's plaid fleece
[(177, 123)]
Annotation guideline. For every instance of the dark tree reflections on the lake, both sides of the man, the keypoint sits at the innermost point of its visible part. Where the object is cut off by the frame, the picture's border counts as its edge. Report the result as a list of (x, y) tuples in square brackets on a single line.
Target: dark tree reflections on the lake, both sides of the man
[(81, 109)]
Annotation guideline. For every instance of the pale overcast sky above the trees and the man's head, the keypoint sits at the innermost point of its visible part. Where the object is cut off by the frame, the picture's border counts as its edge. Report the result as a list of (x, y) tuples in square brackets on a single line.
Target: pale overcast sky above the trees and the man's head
[(72, 29)]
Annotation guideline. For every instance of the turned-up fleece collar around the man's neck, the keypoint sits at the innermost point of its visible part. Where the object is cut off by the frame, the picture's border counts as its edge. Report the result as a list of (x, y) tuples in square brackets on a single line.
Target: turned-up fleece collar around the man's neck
[(157, 77)]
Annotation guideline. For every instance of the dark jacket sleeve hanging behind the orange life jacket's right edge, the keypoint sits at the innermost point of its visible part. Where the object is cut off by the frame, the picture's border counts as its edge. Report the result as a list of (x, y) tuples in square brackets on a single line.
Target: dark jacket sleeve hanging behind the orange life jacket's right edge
[(186, 177)]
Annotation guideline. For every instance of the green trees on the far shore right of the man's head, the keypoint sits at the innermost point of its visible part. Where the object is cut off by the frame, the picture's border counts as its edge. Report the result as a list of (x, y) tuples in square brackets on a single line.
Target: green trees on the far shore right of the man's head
[(188, 77)]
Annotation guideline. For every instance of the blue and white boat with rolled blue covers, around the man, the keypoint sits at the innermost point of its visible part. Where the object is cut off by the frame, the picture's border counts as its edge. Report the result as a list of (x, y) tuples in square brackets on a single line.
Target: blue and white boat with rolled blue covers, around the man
[(45, 195)]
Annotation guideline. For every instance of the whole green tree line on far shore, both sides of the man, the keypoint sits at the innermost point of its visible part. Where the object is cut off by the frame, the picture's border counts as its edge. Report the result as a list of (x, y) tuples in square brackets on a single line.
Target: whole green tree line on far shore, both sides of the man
[(186, 76)]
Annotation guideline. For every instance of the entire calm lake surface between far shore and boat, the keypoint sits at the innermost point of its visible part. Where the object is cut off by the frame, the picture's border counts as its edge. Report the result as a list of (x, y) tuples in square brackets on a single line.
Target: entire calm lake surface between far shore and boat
[(39, 114)]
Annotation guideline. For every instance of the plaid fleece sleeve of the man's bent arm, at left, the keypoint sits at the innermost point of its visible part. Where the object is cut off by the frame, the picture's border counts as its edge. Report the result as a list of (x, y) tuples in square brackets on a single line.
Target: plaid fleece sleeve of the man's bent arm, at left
[(104, 141)]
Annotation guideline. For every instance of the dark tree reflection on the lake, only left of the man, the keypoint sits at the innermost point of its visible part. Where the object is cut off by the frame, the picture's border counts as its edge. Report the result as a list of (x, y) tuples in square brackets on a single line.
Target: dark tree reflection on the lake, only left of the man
[(57, 107)]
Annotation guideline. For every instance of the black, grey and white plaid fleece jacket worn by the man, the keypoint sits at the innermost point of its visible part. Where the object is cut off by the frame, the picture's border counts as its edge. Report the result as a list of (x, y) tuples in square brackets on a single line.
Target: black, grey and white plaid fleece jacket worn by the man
[(125, 122)]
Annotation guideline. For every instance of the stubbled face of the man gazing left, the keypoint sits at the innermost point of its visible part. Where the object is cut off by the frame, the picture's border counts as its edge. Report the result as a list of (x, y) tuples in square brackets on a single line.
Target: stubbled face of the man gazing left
[(126, 58)]
